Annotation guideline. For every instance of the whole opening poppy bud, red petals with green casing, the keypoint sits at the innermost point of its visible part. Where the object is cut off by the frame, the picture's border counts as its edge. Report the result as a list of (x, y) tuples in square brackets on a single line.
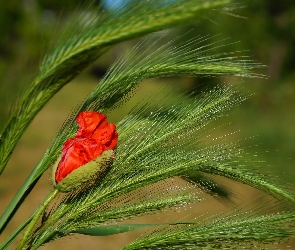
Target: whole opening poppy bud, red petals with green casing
[(88, 154)]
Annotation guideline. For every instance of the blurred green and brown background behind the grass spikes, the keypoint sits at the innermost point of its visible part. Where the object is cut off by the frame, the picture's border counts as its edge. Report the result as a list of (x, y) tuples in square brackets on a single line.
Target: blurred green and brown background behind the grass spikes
[(263, 29)]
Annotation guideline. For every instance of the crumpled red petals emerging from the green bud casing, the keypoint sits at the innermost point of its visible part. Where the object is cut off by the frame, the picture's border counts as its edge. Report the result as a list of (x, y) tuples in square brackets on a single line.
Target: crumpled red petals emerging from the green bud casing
[(93, 137)]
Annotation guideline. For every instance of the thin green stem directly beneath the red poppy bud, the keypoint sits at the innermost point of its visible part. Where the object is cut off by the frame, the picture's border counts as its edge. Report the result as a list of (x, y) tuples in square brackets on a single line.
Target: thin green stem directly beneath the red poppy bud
[(38, 213)]
